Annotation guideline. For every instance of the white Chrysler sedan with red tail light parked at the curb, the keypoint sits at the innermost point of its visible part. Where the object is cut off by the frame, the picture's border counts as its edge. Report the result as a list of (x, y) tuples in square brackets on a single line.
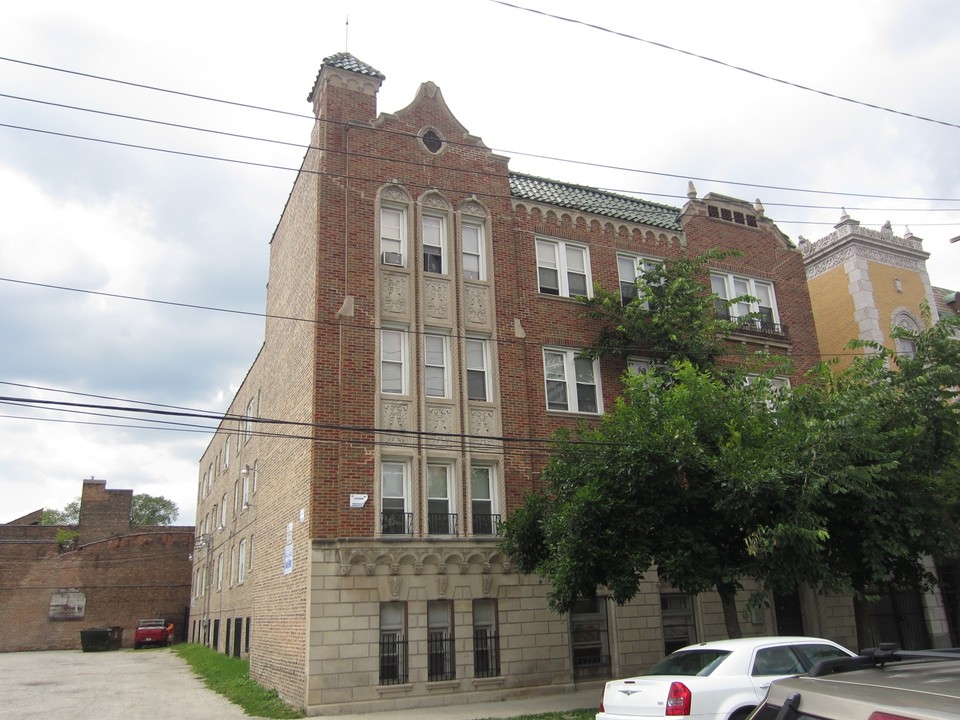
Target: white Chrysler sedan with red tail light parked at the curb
[(719, 680)]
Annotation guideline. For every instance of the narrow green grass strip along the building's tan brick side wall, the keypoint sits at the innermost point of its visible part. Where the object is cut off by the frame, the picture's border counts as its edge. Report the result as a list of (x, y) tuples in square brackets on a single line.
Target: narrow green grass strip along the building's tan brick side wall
[(230, 677)]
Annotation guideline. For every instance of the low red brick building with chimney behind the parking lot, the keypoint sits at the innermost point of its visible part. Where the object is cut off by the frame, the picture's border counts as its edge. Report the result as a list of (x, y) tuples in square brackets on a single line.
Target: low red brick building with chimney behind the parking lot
[(112, 574)]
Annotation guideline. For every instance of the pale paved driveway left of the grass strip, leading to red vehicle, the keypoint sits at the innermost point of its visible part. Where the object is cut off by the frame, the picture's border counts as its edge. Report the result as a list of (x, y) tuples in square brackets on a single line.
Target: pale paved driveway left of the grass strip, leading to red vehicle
[(111, 685)]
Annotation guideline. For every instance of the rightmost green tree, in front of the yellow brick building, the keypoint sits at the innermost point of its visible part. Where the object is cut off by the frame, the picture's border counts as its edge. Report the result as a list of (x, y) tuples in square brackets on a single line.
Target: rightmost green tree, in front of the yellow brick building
[(876, 445)]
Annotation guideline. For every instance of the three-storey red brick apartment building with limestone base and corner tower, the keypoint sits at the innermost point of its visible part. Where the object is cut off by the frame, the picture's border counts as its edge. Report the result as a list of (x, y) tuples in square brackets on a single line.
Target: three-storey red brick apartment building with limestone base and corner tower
[(420, 345)]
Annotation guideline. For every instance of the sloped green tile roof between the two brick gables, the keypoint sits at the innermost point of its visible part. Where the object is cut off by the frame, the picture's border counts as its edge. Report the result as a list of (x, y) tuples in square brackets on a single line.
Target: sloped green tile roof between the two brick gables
[(592, 200)]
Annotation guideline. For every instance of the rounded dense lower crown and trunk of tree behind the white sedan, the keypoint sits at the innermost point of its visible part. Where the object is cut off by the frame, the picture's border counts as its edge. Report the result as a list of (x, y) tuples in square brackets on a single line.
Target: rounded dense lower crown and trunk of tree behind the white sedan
[(675, 476)]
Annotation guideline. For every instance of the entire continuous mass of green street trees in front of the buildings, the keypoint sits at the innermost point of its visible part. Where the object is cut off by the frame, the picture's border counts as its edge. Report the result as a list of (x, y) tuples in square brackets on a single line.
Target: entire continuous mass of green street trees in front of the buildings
[(845, 482)]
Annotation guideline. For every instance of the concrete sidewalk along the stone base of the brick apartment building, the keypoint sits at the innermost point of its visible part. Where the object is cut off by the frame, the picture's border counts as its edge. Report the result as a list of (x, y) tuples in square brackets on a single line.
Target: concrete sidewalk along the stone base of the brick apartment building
[(587, 698)]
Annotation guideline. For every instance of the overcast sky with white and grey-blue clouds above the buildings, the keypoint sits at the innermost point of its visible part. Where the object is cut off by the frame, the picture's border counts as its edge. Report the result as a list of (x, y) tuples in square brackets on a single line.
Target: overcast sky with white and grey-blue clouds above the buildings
[(612, 99)]
